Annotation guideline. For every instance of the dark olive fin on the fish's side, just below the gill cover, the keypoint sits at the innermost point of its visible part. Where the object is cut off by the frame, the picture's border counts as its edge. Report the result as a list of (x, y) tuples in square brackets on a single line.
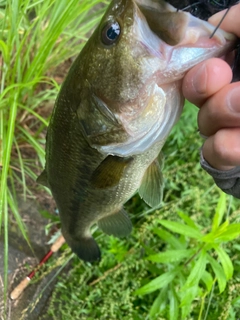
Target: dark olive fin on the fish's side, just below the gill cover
[(109, 172)]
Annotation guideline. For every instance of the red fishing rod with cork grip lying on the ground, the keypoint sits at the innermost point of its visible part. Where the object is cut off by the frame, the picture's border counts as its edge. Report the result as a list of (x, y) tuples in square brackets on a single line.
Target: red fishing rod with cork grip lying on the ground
[(17, 291)]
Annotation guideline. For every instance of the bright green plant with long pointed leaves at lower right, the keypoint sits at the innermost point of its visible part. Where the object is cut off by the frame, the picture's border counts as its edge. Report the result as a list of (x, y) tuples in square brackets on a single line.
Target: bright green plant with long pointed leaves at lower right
[(191, 261)]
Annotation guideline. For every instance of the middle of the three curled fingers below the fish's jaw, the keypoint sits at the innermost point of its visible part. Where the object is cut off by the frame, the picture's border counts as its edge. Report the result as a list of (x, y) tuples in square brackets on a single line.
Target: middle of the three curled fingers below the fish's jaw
[(222, 110)]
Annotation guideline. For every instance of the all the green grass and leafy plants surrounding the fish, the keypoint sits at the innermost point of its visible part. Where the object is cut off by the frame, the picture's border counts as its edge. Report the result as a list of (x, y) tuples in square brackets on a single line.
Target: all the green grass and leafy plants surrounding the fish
[(181, 261)]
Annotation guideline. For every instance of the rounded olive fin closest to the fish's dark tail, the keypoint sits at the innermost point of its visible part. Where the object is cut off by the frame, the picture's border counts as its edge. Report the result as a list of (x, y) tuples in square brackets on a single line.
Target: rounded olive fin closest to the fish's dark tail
[(117, 224)]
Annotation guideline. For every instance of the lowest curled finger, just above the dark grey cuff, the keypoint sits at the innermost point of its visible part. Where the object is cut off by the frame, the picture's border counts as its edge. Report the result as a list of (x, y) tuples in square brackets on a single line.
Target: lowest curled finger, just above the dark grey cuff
[(222, 150)]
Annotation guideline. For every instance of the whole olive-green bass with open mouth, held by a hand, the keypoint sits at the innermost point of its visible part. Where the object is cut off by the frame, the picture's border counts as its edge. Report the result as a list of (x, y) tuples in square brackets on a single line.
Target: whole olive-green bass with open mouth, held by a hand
[(114, 111)]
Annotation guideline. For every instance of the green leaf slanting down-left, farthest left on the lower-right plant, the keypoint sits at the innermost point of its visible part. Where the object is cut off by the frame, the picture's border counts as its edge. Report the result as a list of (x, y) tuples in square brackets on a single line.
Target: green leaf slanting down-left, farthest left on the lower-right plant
[(157, 283)]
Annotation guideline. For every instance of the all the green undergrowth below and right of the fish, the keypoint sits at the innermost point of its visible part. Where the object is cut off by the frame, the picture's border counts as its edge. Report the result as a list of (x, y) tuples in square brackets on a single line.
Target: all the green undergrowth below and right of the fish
[(188, 274)]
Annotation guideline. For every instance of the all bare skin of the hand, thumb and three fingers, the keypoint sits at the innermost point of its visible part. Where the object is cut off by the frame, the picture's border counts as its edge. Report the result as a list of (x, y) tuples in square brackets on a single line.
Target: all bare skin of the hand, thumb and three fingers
[(208, 86)]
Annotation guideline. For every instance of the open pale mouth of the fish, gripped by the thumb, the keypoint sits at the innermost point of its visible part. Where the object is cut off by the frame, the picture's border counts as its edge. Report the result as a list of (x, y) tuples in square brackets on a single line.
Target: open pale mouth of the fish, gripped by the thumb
[(176, 27)]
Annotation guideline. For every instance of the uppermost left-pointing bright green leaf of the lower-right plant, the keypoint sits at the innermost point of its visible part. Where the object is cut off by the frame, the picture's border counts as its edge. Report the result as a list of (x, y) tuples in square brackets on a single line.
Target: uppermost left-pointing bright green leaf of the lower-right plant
[(181, 229)]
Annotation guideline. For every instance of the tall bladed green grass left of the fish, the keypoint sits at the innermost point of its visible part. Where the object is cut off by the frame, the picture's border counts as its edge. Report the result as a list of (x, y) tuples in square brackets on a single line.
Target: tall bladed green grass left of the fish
[(35, 38)]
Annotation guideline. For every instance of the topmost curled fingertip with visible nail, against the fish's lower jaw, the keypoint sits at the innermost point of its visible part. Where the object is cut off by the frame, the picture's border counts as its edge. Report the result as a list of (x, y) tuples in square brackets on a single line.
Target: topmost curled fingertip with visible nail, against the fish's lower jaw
[(205, 79)]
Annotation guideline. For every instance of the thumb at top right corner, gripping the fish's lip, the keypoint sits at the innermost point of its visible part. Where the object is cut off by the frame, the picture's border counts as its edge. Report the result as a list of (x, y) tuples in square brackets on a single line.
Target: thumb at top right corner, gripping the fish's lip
[(231, 22)]
